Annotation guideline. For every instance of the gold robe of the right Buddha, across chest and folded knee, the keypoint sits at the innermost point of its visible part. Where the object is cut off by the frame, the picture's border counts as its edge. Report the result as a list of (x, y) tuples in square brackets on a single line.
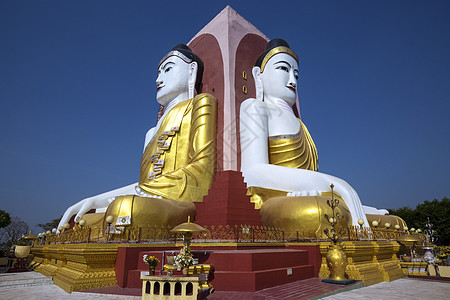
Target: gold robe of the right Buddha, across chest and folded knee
[(301, 216)]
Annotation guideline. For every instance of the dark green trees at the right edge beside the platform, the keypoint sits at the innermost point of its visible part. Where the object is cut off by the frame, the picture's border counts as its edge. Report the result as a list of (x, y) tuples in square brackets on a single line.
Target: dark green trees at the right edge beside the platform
[(438, 214)]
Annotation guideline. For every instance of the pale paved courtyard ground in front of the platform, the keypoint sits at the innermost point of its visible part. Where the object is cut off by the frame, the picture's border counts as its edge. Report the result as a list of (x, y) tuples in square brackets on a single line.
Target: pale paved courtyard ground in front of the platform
[(35, 286)]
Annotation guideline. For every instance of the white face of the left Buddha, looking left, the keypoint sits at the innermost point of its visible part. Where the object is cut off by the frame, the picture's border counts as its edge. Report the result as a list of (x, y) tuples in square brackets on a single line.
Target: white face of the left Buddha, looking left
[(172, 80)]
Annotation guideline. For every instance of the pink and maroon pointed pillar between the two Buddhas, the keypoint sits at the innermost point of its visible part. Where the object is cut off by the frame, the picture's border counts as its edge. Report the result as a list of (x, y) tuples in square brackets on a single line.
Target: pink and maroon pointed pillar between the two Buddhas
[(229, 46)]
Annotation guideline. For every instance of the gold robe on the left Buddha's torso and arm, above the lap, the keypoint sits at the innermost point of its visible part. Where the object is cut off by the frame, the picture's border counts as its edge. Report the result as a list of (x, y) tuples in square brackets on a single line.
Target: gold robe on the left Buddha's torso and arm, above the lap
[(179, 163)]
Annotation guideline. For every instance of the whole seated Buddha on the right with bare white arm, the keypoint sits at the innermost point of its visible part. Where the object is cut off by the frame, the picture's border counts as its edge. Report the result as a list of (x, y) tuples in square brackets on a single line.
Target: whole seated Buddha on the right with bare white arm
[(279, 159)]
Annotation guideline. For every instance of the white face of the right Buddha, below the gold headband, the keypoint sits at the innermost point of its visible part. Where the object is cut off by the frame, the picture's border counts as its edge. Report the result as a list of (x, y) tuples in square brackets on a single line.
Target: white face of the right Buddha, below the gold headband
[(279, 79)]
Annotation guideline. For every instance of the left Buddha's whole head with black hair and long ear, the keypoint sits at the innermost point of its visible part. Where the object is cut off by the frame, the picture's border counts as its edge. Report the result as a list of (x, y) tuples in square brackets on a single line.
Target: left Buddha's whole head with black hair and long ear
[(179, 74)]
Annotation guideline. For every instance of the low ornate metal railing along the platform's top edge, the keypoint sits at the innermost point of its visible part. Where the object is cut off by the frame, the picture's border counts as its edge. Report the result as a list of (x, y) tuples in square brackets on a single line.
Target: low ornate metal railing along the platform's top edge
[(213, 234)]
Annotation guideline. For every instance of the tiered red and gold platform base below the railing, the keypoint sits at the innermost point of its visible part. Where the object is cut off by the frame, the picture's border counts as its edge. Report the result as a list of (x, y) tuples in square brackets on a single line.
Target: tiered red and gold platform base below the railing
[(240, 267)]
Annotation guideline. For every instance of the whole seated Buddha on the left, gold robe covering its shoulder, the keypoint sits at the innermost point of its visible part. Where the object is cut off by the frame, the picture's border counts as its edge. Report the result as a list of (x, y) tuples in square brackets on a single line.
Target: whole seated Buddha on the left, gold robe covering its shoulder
[(179, 159)]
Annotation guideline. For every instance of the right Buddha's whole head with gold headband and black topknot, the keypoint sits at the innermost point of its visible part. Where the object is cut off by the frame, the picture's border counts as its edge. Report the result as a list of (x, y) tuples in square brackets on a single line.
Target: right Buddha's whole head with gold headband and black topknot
[(276, 72)]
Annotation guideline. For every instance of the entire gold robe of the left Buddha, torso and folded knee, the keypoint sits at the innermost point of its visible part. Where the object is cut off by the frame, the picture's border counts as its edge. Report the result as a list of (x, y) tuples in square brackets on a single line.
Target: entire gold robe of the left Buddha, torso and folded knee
[(178, 165)]
